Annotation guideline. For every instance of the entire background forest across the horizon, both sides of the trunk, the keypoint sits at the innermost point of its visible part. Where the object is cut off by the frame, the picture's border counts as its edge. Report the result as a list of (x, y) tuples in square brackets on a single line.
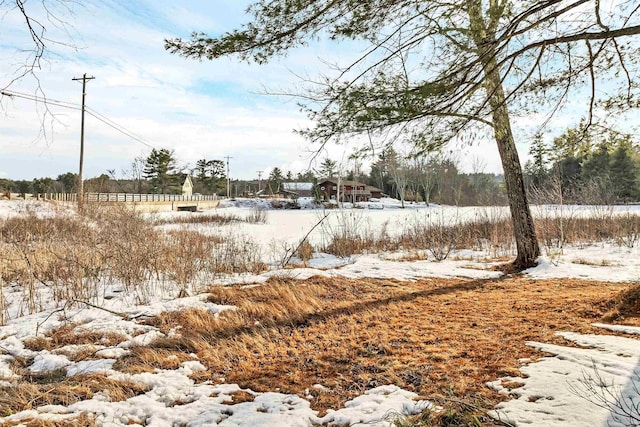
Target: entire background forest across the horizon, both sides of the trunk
[(596, 166)]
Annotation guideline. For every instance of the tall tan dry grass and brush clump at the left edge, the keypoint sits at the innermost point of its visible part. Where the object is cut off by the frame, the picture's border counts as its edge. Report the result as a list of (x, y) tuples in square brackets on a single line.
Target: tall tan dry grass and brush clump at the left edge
[(66, 259)]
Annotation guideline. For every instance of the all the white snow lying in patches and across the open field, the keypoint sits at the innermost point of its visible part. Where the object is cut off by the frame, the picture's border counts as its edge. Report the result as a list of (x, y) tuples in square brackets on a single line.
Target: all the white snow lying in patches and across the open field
[(555, 391)]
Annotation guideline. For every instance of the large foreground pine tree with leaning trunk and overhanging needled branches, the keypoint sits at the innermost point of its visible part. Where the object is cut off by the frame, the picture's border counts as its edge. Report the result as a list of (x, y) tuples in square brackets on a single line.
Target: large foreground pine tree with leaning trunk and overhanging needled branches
[(465, 51)]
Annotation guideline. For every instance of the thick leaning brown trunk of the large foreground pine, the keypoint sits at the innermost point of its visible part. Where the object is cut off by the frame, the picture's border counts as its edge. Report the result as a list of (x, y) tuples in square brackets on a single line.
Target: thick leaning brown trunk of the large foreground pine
[(484, 36)]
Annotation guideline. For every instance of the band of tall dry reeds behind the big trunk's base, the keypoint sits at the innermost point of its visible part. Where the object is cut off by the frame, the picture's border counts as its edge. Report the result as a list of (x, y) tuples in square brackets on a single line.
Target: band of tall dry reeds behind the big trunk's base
[(489, 230)]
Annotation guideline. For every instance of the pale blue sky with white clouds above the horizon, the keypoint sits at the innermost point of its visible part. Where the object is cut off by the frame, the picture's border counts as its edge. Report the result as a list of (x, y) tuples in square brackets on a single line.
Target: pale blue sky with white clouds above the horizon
[(199, 109)]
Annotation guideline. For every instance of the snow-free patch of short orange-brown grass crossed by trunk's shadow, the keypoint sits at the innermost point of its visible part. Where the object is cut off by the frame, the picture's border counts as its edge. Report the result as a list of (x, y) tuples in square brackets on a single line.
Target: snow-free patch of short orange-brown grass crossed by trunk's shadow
[(439, 338)]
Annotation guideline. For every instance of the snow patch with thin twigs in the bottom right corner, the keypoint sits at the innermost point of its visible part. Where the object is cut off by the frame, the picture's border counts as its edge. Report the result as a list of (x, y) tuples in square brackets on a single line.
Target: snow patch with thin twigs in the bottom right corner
[(595, 385)]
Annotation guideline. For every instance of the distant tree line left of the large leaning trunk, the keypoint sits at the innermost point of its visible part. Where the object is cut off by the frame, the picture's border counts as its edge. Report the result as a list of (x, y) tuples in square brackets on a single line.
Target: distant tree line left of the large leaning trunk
[(430, 178)]
